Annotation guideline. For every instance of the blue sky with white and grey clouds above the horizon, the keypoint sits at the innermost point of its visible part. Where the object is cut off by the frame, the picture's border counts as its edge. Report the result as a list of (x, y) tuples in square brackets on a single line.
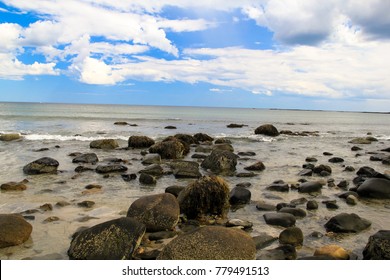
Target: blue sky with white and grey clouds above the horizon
[(295, 54)]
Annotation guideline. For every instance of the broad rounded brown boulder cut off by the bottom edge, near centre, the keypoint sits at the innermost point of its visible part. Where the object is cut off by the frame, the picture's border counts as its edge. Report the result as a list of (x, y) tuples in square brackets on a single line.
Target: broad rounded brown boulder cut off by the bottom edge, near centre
[(210, 243)]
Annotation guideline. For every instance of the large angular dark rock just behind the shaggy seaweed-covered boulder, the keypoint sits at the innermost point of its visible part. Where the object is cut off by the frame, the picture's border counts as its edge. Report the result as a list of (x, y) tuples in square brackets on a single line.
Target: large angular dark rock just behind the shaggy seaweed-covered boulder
[(221, 162)]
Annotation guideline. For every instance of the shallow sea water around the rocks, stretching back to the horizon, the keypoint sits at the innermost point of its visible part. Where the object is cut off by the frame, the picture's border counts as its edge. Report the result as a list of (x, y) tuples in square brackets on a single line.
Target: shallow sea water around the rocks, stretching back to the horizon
[(56, 130)]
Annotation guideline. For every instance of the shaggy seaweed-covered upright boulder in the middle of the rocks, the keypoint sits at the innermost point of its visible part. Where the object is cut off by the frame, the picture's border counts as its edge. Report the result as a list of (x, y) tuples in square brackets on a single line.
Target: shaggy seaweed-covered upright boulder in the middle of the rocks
[(204, 197)]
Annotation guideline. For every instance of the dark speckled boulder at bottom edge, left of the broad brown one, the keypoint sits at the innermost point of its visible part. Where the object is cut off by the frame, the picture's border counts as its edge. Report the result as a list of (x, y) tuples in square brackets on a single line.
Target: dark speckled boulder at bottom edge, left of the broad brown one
[(113, 240)]
